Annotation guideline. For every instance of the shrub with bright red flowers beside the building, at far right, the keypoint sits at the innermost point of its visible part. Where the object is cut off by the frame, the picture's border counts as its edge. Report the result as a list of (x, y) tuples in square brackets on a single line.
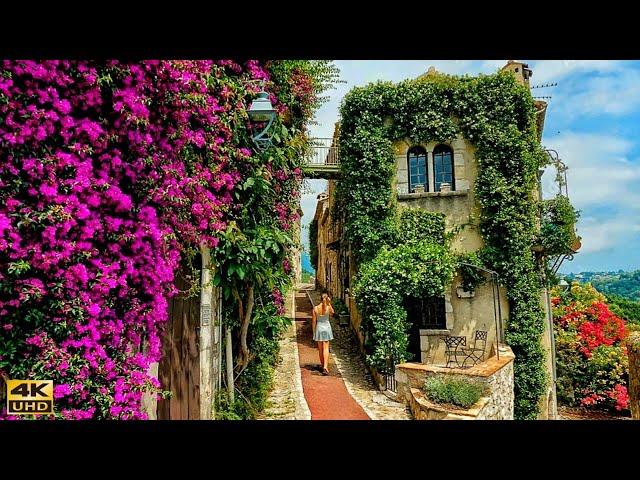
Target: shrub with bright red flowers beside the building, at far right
[(592, 363)]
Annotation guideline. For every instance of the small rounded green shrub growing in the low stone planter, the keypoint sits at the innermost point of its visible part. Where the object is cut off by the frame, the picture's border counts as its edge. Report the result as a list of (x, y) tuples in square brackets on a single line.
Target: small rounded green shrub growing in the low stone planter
[(453, 389)]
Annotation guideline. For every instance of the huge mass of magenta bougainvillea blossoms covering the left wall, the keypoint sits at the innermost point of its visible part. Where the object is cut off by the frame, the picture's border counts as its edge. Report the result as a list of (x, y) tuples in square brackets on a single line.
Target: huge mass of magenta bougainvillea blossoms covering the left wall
[(109, 173)]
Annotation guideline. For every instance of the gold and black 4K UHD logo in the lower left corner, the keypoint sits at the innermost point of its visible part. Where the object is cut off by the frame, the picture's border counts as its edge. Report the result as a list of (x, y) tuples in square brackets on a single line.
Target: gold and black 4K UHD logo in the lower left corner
[(29, 397)]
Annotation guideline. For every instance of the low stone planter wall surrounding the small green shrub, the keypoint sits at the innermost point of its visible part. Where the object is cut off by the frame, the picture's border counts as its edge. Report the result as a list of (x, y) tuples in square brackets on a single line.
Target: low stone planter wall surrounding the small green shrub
[(496, 373)]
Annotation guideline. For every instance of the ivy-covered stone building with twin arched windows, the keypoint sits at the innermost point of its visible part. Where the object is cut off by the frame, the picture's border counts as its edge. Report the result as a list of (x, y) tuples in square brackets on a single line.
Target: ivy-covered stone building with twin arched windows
[(465, 154)]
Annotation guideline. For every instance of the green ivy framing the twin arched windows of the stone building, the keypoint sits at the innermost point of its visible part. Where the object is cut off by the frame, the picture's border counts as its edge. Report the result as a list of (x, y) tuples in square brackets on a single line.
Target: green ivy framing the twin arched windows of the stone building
[(497, 115)]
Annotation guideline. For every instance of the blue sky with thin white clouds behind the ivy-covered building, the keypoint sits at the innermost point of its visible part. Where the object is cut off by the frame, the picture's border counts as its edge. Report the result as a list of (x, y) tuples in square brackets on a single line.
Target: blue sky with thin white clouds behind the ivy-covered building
[(593, 121)]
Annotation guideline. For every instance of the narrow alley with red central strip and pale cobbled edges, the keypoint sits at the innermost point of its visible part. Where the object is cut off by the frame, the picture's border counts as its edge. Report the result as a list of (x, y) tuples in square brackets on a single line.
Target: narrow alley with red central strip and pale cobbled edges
[(302, 392)]
